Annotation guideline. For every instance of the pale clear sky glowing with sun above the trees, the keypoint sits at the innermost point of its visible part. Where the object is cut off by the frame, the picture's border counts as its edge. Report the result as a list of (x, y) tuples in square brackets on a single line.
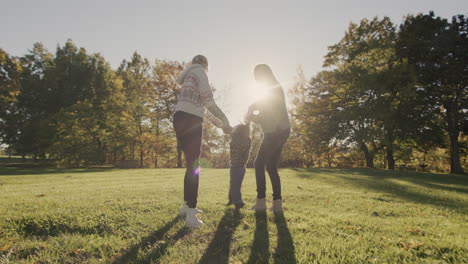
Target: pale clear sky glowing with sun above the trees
[(234, 35)]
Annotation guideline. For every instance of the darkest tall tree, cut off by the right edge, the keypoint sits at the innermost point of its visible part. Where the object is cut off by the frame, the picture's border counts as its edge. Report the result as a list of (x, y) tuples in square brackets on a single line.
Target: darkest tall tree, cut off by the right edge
[(438, 51)]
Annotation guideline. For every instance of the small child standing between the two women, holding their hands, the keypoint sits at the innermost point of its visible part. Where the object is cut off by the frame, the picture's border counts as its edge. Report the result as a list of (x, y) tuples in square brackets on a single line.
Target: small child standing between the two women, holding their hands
[(239, 154)]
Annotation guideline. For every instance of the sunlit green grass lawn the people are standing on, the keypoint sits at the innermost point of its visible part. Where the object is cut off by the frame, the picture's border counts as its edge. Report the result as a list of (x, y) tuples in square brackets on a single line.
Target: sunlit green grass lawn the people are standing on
[(331, 216)]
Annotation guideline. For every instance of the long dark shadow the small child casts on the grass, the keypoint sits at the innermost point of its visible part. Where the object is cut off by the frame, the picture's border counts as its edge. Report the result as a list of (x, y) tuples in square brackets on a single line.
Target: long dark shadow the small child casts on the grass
[(219, 248)]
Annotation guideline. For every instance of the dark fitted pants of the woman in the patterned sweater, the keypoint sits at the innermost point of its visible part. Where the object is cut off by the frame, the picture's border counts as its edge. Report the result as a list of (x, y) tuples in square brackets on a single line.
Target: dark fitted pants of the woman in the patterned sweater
[(189, 132)]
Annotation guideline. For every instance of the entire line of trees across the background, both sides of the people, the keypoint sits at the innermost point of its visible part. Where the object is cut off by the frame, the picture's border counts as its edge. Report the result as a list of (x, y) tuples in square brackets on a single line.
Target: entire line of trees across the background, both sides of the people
[(389, 96)]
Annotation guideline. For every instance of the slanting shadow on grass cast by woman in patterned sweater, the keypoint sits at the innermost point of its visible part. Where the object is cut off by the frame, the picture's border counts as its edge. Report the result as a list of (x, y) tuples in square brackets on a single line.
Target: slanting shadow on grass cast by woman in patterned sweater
[(158, 235)]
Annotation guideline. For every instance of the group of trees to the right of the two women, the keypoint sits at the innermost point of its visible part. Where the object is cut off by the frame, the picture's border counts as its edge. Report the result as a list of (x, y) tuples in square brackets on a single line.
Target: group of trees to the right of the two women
[(389, 94)]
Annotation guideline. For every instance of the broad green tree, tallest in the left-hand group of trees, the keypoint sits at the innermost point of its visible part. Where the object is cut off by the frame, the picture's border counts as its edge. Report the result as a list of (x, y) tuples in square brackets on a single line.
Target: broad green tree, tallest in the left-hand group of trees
[(87, 123)]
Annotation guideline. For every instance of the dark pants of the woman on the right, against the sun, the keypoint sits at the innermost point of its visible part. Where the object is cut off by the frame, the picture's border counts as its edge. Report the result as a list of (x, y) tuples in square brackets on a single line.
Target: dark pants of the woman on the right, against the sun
[(268, 156)]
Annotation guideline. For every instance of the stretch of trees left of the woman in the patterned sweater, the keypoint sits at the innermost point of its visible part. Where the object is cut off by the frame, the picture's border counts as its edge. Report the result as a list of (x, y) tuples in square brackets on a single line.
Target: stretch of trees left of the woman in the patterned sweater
[(72, 107)]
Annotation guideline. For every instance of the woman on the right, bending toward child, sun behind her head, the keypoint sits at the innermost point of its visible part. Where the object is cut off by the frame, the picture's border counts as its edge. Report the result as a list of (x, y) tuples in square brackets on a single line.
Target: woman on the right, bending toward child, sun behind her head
[(271, 113)]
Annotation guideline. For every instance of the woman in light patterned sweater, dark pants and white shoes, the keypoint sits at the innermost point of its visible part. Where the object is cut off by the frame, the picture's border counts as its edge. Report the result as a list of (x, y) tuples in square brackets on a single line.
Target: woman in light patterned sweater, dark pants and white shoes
[(193, 99)]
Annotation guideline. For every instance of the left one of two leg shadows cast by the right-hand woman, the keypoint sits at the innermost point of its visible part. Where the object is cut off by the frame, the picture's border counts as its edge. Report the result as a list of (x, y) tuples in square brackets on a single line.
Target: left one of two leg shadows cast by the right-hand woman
[(259, 252)]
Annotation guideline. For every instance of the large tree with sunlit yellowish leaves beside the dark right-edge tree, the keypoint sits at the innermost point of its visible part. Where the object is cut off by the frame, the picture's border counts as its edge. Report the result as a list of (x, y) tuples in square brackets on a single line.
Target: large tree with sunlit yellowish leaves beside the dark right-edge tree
[(376, 88)]
